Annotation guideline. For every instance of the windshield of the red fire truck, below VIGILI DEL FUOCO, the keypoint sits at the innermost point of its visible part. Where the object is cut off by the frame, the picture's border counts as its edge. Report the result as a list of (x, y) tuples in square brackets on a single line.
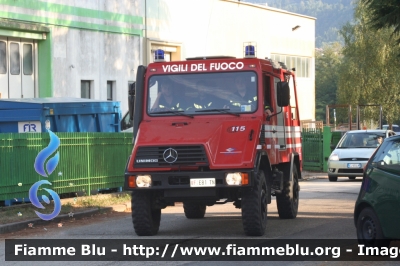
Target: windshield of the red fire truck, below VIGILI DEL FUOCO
[(202, 94)]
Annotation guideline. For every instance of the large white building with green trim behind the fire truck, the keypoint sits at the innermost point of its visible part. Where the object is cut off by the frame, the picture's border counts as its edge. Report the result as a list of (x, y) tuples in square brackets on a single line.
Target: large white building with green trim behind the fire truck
[(91, 48)]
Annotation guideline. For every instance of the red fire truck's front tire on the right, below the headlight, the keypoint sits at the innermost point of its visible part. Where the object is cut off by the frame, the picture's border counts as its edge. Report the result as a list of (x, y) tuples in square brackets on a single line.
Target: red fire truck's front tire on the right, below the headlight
[(254, 207)]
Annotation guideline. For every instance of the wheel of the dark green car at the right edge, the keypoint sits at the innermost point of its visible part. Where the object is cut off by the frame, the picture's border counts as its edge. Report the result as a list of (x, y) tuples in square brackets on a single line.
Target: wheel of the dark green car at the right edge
[(369, 230)]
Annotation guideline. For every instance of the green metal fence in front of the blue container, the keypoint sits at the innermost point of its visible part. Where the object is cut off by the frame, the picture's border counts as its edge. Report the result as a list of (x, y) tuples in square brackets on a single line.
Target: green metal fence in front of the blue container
[(88, 162)]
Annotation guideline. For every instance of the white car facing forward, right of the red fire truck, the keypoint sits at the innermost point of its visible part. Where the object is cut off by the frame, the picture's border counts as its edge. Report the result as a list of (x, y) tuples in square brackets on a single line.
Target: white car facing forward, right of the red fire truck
[(353, 152)]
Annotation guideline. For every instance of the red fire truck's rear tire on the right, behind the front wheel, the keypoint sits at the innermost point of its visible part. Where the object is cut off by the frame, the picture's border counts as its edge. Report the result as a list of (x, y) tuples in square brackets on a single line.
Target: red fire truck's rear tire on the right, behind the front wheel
[(288, 201)]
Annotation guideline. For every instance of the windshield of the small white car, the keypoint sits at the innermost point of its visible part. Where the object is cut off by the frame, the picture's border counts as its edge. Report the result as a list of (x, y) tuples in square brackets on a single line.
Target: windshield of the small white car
[(361, 140)]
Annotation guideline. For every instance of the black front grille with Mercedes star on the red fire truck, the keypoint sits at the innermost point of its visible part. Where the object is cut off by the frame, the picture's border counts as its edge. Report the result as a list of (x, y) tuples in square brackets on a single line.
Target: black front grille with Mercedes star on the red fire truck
[(186, 156)]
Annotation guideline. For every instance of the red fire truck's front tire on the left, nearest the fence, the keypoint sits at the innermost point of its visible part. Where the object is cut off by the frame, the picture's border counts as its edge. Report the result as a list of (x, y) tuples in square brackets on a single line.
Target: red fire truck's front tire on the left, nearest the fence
[(145, 219)]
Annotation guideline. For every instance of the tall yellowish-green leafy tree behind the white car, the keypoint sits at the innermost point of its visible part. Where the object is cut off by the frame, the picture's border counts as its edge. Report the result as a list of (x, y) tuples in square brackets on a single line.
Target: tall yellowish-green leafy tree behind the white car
[(370, 67)]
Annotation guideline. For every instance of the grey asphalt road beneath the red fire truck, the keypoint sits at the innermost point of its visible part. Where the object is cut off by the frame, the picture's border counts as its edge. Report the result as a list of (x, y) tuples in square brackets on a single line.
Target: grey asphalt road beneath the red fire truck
[(325, 212)]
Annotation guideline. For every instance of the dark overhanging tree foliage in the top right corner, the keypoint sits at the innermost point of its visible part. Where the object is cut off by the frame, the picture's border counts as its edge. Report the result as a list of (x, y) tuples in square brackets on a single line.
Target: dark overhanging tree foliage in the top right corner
[(384, 14)]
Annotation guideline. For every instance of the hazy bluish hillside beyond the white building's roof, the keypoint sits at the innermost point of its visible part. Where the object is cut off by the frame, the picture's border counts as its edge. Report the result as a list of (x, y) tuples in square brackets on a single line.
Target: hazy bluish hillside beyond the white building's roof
[(331, 15)]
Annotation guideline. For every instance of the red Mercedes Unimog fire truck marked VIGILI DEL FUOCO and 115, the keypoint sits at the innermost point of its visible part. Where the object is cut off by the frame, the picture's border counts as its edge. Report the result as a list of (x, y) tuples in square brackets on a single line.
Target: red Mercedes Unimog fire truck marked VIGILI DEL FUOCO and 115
[(213, 130)]
